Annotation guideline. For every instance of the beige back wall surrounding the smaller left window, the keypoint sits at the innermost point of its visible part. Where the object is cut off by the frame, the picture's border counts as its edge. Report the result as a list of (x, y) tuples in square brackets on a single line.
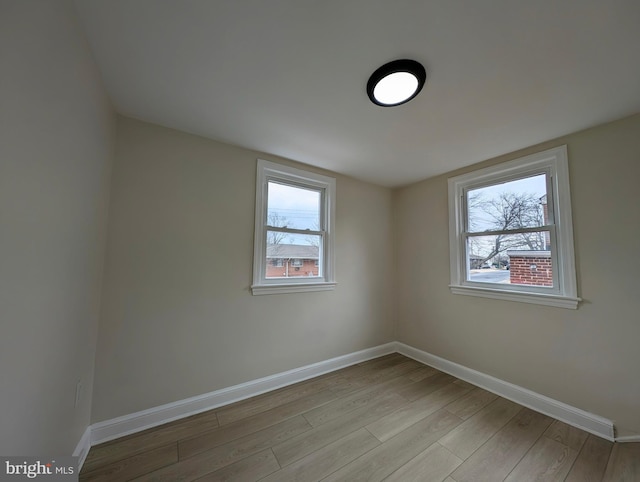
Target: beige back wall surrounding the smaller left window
[(178, 318)]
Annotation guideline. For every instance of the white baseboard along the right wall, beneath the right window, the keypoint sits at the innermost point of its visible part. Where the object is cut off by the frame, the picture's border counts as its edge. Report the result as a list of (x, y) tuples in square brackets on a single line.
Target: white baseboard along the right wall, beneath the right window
[(576, 417)]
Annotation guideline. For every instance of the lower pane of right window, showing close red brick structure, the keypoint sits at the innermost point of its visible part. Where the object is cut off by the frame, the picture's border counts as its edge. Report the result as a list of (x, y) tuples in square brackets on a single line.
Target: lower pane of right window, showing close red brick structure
[(516, 259)]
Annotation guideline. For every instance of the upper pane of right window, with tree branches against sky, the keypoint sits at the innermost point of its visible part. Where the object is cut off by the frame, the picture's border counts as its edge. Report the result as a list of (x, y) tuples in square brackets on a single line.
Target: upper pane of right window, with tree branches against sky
[(510, 205)]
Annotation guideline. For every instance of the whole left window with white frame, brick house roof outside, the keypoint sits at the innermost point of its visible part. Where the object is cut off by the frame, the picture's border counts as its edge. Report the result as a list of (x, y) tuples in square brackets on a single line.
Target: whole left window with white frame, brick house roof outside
[(293, 229)]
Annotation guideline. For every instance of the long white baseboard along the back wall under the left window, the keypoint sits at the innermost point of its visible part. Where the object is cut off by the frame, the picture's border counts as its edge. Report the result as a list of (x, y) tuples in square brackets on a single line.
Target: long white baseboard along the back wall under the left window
[(136, 422)]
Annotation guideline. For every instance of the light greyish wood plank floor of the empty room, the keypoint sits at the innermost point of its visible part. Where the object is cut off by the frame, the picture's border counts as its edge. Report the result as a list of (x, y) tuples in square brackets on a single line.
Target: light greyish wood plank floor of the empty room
[(391, 418)]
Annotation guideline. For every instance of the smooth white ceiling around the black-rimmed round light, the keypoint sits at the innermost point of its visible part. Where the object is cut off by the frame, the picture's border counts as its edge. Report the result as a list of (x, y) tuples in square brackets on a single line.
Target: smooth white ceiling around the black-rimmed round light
[(288, 77)]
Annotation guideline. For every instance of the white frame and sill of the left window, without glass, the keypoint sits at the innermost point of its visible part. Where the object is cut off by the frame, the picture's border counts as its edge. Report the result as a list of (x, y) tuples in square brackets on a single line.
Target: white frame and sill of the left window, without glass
[(270, 171)]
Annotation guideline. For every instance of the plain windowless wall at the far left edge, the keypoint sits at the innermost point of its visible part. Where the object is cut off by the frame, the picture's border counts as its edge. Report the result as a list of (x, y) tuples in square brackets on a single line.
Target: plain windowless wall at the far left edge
[(56, 145)]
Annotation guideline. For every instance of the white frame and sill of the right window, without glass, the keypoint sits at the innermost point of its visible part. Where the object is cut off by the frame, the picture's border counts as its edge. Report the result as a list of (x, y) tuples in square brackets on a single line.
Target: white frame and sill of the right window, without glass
[(554, 164)]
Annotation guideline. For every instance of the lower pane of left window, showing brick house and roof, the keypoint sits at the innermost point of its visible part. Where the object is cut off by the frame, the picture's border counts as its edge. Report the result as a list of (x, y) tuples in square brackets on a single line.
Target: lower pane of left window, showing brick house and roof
[(293, 255)]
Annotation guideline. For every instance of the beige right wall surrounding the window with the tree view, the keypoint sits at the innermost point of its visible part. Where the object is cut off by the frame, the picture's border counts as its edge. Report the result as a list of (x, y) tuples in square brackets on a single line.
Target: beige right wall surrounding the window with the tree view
[(588, 358)]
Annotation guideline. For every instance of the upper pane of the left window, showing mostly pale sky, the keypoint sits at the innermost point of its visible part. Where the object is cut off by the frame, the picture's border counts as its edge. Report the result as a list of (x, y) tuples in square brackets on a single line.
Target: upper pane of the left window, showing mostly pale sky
[(293, 207)]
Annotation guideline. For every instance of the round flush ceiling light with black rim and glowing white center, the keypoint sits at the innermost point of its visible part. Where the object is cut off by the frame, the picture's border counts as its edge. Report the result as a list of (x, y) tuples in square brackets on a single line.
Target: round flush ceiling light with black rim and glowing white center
[(396, 83)]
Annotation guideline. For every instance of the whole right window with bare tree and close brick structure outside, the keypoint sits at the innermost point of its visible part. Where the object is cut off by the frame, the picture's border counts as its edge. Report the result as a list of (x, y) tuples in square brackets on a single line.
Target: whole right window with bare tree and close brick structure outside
[(510, 231)]
